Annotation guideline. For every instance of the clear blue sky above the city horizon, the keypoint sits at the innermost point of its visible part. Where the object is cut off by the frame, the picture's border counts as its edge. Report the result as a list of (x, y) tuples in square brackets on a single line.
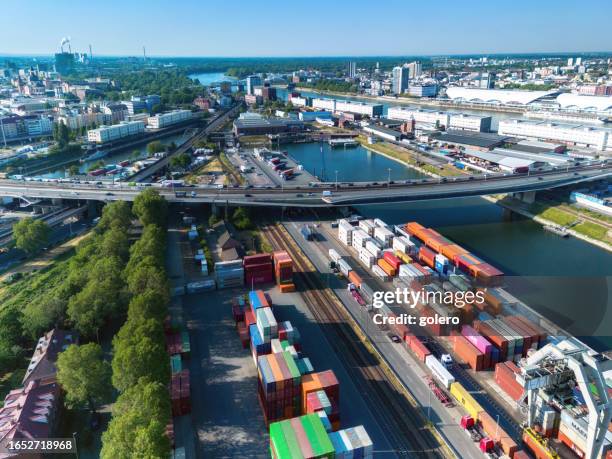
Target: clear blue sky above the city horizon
[(314, 28)]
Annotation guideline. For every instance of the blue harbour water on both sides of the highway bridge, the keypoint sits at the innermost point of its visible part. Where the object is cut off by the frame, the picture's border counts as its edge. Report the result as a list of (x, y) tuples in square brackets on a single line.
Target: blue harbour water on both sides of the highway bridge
[(565, 280)]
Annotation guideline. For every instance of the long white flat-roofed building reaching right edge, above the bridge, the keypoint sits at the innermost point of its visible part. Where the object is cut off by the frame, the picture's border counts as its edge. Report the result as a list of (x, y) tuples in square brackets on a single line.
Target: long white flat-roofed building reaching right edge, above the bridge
[(569, 134)]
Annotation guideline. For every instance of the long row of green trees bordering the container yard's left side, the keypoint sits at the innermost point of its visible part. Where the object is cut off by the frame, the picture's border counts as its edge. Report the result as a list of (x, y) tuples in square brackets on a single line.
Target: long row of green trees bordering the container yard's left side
[(140, 368)]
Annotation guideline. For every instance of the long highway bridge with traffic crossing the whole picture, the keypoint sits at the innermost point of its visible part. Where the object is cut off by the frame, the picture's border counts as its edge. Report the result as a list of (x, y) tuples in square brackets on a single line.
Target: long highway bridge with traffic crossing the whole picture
[(322, 195)]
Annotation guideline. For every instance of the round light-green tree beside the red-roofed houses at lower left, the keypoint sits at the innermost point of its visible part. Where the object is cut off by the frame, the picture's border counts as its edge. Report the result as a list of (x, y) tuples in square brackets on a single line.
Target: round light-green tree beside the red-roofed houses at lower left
[(84, 375)]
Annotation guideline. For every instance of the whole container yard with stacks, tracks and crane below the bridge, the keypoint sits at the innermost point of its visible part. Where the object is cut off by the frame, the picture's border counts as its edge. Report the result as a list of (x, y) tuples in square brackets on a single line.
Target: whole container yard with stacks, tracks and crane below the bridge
[(489, 378)]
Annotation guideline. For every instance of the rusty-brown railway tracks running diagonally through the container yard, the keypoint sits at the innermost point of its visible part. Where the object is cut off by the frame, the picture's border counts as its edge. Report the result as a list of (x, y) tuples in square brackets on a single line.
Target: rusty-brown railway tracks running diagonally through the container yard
[(405, 428)]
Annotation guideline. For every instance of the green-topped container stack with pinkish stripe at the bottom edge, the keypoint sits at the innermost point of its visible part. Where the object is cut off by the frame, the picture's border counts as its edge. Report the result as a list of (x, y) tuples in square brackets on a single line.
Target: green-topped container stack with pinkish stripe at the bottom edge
[(302, 437)]
